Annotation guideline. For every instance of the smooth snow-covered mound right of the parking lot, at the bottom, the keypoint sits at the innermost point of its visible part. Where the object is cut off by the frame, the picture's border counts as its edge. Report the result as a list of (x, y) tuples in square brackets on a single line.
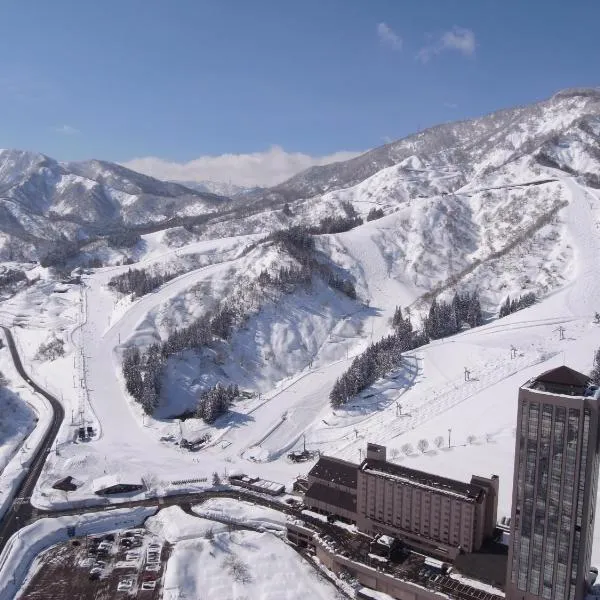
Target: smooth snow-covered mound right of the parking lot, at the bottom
[(233, 564)]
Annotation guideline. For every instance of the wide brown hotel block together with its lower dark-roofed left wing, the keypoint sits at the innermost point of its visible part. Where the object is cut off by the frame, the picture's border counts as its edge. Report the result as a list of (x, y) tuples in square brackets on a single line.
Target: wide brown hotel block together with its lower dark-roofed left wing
[(436, 515)]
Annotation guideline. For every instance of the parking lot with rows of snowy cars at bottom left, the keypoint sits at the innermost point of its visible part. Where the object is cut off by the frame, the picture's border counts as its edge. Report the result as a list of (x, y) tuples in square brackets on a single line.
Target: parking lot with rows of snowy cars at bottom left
[(124, 564)]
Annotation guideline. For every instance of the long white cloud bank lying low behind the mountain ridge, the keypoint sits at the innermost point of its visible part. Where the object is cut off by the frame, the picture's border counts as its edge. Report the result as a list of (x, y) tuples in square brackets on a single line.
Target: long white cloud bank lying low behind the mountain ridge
[(248, 170)]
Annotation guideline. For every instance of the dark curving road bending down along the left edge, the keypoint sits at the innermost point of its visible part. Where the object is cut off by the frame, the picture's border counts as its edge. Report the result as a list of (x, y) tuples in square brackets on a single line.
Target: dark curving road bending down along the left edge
[(22, 510)]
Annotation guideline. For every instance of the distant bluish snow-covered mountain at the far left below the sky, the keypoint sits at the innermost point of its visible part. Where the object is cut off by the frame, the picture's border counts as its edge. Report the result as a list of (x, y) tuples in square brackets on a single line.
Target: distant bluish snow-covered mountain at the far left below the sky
[(43, 201)]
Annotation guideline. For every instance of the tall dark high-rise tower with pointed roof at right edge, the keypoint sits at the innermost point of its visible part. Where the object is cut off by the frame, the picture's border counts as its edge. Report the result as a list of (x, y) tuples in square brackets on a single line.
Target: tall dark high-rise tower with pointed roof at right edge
[(554, 488)]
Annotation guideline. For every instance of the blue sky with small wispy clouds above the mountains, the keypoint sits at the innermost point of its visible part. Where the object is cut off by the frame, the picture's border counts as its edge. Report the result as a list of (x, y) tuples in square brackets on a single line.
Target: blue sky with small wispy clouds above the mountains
[(183, 79)]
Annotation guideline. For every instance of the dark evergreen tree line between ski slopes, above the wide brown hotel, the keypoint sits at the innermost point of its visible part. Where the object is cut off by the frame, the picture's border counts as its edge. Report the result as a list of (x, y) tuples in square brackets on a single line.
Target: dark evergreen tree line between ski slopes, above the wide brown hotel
[(382, 357)]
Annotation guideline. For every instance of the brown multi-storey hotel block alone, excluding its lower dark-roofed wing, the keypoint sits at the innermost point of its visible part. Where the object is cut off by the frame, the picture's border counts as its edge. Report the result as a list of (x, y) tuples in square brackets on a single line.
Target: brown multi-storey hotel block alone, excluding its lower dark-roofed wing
[(441, 516)]
